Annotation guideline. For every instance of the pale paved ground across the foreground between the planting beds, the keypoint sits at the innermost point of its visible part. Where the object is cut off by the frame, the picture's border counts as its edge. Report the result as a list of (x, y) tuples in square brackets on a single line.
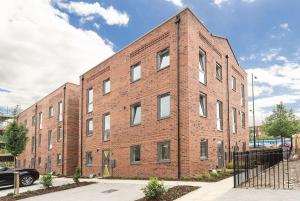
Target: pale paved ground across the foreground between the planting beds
[(130, 190)]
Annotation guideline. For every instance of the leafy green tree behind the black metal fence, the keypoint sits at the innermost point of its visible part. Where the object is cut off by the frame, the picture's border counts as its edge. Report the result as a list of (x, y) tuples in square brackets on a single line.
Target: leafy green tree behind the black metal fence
[(282, 122)]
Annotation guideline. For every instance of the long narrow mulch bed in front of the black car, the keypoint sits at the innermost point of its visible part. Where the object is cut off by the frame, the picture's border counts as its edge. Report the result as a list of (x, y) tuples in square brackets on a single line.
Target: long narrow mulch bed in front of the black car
[(11, 197)]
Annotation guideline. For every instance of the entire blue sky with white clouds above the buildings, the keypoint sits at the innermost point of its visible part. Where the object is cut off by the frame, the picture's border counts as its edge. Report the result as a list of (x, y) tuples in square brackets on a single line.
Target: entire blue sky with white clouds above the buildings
[(46, 43)]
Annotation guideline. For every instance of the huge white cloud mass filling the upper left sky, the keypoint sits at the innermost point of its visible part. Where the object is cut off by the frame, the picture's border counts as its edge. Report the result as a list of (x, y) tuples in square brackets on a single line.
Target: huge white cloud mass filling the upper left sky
[(40, 51)]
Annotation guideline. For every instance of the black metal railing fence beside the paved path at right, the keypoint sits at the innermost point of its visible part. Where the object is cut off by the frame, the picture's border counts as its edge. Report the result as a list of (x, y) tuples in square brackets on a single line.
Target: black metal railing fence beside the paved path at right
[(262, 168)]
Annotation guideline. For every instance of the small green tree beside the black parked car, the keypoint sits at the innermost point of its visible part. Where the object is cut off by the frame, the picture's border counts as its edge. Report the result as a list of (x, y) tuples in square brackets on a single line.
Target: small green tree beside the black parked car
[(15, 138)]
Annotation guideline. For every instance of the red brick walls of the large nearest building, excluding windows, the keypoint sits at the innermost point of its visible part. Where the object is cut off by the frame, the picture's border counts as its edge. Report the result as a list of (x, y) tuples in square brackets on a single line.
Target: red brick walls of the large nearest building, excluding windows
[(153, 83)]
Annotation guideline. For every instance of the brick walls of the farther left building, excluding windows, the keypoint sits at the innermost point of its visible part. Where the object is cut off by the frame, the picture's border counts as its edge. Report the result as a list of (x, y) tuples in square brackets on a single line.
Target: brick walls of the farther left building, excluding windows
[(70, 133)]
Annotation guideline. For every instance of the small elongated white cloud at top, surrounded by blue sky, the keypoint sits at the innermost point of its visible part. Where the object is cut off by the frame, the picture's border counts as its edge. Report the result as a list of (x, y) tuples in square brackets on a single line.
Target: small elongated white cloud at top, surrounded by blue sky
[(110, 14)]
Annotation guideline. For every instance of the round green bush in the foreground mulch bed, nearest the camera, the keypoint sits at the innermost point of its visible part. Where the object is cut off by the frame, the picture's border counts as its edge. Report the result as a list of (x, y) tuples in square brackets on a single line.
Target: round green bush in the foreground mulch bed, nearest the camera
[(154, 188)]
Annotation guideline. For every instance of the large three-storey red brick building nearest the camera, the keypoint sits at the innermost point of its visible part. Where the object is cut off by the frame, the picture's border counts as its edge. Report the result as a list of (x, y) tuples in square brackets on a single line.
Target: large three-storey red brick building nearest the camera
[(173, 103)]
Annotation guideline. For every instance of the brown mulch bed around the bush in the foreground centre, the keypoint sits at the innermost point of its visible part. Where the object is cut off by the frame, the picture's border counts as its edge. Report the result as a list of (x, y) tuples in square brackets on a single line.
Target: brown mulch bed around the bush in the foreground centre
[(172, 193)]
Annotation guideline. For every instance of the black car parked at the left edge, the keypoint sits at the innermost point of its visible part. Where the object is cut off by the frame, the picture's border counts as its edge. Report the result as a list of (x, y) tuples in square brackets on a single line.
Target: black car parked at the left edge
[(27, 176)]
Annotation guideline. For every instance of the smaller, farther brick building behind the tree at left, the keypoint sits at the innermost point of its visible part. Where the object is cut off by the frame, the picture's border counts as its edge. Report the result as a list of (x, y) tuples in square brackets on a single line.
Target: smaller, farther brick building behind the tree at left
[(52, 125)]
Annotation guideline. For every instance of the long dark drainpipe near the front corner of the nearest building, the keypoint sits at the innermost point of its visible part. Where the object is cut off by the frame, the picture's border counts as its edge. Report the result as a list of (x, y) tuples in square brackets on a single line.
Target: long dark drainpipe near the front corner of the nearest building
[(177, 22)]
